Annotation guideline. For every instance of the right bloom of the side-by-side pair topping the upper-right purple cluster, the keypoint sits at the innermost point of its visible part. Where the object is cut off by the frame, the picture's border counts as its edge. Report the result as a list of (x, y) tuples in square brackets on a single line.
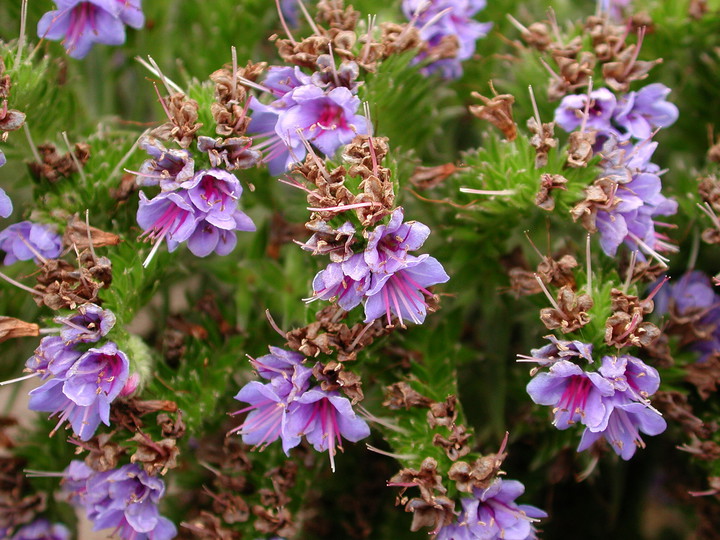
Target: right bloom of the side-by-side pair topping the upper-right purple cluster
[(639, 113)]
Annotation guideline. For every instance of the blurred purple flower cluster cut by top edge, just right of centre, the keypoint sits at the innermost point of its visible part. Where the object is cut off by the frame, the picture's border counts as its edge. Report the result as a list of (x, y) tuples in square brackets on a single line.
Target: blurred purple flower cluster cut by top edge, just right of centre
[(449, 31)]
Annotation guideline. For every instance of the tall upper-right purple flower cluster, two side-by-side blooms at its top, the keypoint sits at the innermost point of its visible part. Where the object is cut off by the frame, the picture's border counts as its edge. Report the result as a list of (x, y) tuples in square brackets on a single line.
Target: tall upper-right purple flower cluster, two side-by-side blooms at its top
[(625, 200)]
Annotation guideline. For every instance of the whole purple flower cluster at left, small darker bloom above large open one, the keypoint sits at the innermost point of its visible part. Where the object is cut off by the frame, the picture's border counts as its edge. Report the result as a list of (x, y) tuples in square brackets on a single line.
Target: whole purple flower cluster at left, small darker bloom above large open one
[(81, 385)]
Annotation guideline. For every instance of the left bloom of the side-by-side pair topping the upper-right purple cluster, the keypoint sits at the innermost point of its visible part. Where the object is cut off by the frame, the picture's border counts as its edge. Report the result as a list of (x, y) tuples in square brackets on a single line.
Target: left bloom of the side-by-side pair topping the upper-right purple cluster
[(569, 114)]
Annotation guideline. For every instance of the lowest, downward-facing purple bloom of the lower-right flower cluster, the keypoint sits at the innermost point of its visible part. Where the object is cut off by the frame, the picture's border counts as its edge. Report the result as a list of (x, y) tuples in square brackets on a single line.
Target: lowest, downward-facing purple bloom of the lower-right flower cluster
[(627, 420)]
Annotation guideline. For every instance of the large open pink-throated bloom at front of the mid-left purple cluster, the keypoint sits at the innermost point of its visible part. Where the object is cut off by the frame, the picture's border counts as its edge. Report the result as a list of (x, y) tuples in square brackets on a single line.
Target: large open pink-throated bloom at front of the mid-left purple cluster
[(82, 395)]
